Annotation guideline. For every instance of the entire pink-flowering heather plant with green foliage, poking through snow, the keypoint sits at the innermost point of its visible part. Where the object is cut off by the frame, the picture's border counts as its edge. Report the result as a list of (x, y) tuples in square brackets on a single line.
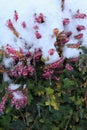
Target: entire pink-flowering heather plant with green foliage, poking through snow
[(39, 96)]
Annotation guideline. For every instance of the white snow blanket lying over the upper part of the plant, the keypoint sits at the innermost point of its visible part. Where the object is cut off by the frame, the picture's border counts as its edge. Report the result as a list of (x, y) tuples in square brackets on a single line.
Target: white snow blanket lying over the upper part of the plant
[(53, 19)]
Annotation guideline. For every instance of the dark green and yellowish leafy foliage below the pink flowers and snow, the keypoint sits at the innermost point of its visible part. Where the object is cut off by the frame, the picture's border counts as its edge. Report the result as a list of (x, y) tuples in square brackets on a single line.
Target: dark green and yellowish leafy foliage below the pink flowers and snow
[(59, 106)]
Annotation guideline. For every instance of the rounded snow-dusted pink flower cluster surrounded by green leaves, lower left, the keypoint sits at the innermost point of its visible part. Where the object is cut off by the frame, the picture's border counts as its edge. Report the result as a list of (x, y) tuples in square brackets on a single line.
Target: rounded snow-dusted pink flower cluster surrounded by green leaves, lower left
[(18, 99)]
